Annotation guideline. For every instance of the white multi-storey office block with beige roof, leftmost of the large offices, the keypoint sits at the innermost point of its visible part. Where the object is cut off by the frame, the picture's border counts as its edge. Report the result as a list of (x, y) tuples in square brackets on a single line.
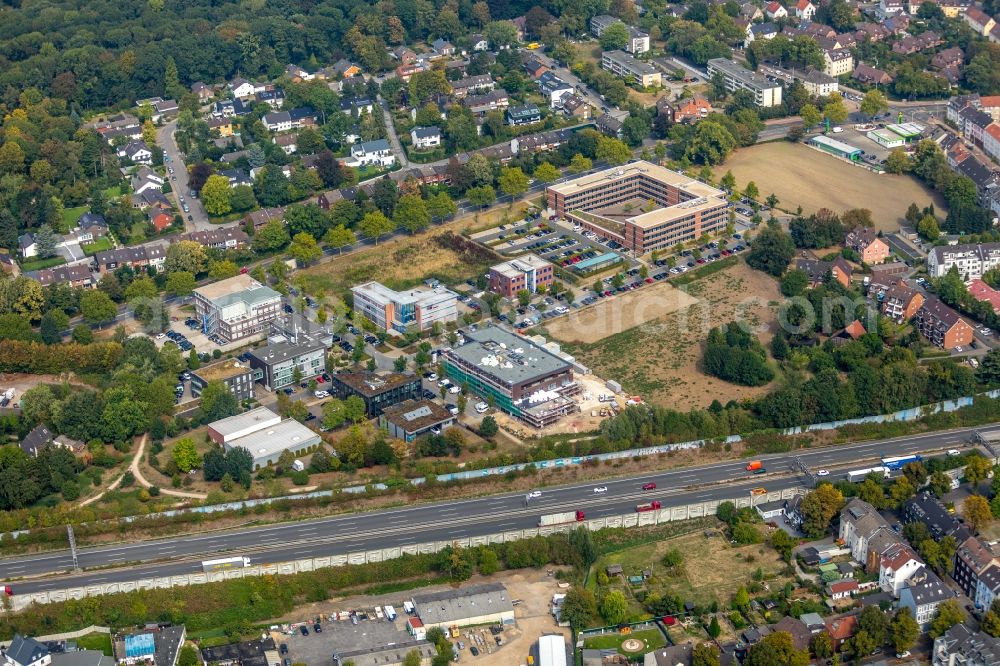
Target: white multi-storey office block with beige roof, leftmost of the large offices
[(236, 308)]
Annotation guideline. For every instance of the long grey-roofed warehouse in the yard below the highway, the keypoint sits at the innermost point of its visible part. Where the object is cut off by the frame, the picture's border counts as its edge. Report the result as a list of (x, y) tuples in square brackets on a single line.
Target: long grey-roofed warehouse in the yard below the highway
[(488, 603)]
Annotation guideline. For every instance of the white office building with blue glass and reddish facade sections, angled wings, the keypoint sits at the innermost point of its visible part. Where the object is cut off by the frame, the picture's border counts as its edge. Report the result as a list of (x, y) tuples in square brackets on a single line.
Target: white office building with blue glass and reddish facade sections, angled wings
[(399, 311)]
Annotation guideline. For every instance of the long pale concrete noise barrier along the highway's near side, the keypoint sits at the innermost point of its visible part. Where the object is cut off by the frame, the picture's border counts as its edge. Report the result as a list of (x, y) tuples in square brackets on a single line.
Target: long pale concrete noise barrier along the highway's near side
[(644, 519)]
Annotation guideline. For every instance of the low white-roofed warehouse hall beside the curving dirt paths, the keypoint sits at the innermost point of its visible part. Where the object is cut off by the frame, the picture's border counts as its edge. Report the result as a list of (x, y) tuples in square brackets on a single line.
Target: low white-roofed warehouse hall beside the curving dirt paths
[(262, 432)]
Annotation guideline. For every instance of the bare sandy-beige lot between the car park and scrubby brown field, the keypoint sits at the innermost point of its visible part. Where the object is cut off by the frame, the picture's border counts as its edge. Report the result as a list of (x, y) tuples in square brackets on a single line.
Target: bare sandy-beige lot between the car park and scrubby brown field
[(620, 312)]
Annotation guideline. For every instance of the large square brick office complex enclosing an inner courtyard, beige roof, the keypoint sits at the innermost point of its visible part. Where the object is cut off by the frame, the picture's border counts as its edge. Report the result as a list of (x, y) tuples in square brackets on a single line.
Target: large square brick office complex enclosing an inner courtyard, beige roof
[(613, 204)]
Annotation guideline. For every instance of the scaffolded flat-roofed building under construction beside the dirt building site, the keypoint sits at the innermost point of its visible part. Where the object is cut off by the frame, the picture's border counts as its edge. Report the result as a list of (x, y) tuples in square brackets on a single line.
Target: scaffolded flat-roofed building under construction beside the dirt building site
[(521, 378)]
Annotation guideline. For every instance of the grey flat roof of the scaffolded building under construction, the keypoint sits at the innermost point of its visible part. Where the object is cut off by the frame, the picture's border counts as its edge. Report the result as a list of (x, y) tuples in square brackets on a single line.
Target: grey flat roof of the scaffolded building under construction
[(512, 359)]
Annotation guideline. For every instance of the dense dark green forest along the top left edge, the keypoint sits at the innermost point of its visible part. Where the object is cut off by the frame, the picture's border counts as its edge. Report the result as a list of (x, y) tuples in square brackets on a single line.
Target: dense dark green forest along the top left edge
[(104, 53)]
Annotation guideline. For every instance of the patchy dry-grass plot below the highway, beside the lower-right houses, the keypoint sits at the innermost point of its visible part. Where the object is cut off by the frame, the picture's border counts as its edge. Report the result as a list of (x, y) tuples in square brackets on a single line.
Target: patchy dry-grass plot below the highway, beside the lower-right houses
[(712, 568)]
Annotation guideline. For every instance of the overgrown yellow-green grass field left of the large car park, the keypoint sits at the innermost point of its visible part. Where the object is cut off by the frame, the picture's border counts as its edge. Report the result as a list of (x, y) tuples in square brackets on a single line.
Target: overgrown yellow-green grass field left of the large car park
[(398, 264)]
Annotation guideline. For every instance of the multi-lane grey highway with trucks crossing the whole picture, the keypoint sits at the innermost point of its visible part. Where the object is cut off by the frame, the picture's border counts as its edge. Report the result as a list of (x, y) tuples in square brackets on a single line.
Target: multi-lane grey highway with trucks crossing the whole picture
[(437, 521)]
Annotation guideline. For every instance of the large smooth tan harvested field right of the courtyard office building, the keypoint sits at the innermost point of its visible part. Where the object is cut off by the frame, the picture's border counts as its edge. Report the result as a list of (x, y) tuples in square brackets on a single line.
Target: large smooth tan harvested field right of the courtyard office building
[(801, 176)]
